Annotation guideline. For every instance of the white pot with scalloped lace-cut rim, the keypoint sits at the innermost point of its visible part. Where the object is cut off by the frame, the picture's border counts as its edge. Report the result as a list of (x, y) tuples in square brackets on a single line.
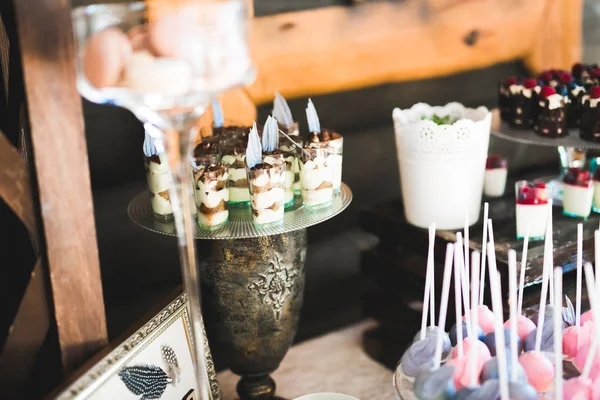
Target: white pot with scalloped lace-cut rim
[(442, 167)]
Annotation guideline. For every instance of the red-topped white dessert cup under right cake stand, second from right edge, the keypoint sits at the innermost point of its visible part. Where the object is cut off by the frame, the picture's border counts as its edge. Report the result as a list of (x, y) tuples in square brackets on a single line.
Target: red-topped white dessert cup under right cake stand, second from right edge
[(578, 193)]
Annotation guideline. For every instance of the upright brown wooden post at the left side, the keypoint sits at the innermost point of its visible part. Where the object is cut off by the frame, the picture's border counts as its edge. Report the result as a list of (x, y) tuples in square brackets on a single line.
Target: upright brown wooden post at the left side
[(61, 162)]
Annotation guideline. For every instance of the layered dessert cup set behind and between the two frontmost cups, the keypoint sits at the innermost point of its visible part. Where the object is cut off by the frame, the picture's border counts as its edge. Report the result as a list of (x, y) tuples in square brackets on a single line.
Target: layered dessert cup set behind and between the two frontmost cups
[(234, 157)]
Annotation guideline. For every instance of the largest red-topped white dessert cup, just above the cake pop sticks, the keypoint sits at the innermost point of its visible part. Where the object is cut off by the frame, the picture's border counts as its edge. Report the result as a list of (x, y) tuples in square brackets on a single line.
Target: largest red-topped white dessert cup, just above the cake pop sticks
[(532, 208)]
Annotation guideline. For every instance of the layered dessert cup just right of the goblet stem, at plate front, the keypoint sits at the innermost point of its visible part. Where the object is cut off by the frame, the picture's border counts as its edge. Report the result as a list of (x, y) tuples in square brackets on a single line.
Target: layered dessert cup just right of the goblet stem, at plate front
[(211, 194)]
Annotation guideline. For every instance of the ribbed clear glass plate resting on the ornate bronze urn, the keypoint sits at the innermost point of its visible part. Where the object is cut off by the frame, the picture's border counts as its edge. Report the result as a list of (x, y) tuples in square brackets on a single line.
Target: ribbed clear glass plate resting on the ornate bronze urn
[(240, 225)]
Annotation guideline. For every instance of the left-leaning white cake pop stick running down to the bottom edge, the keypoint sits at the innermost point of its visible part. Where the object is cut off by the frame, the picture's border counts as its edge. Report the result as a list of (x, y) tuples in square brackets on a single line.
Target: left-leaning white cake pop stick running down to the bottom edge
[(498, 324)]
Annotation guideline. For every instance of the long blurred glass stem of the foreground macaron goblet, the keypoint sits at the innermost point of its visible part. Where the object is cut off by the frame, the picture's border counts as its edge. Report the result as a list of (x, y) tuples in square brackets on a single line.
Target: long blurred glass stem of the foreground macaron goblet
[(179, 148)]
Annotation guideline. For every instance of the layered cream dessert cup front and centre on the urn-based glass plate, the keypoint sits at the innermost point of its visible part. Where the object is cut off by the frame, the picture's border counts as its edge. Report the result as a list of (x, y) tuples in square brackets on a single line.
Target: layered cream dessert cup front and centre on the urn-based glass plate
[(267, 192)]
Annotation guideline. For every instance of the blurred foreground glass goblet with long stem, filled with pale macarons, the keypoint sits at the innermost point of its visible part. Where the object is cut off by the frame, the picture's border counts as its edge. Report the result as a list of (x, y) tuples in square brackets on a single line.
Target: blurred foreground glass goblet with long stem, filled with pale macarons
[(165, 62)]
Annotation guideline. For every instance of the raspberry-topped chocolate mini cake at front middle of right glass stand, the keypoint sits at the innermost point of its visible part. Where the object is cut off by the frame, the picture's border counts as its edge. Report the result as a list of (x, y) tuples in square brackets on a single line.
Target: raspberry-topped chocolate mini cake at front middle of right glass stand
[(551, 120)]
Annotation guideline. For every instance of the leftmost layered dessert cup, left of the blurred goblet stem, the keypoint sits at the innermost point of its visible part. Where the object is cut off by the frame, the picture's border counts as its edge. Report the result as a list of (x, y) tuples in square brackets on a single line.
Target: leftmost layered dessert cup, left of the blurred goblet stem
[(159, 183)]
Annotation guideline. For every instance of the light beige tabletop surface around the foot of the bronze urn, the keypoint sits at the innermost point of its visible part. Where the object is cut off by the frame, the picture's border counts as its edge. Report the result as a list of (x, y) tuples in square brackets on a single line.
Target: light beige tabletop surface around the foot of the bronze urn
[(334, 362)]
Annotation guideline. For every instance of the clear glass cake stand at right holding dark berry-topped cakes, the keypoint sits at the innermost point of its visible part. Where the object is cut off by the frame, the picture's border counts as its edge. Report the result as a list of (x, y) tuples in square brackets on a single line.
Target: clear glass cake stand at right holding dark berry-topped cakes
[(571, 150)]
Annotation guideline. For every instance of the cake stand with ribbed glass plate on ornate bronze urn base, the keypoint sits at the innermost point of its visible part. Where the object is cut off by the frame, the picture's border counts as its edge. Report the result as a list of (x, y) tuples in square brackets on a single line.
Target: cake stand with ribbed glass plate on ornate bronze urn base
[(252, 285)]
